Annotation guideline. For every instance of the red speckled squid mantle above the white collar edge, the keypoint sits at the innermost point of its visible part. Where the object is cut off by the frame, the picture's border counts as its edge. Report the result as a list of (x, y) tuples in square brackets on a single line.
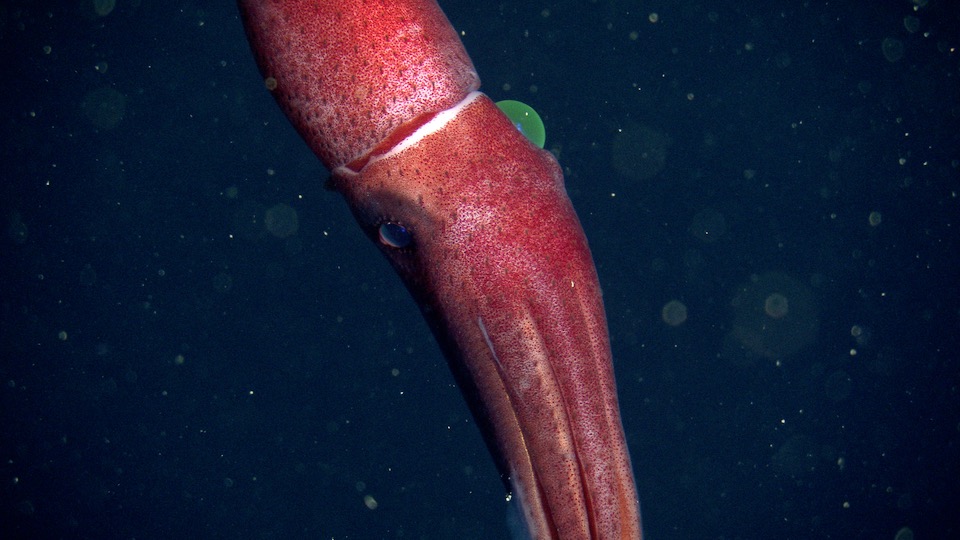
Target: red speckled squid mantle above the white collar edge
[(348, 73)]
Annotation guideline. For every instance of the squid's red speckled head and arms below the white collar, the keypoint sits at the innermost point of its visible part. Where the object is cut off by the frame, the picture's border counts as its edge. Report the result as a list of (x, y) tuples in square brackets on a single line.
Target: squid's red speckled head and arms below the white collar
[(502, 270)]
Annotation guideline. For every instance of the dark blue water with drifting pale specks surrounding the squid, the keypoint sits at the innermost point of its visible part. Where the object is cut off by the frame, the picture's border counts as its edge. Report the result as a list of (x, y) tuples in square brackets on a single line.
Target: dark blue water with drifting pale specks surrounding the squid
[(179, 359)]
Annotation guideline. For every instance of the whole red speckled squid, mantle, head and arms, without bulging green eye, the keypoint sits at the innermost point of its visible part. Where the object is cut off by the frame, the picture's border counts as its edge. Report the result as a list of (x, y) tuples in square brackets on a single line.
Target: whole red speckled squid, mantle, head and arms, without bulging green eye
[(498, 262)]
